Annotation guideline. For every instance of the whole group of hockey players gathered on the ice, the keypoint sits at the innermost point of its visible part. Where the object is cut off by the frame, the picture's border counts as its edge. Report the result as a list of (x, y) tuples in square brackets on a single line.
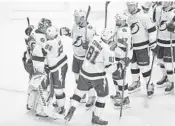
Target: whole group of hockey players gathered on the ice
[(143, 31)]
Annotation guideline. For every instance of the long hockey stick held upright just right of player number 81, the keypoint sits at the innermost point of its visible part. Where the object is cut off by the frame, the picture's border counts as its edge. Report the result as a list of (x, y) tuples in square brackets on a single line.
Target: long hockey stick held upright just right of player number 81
[(124, 81)]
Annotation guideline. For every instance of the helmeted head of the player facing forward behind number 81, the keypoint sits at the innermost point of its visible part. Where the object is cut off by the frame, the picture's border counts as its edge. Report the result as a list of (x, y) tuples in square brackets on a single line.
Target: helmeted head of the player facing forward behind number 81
[(79, 16)]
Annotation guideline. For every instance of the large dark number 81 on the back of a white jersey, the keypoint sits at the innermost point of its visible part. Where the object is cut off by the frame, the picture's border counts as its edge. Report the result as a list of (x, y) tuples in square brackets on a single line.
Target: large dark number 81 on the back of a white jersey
[(92, 54)]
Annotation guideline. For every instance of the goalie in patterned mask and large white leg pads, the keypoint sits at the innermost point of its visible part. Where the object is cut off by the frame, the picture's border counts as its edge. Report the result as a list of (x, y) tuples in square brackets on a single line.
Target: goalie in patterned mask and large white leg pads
[(38, 83)]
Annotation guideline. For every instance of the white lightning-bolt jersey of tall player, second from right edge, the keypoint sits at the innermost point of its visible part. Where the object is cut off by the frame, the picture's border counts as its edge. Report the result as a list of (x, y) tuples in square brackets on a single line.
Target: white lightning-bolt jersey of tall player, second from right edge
[(143, 30)]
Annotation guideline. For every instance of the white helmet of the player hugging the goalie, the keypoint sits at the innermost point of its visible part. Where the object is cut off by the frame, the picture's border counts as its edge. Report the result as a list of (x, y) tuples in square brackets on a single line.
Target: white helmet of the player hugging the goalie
[(52, 32)]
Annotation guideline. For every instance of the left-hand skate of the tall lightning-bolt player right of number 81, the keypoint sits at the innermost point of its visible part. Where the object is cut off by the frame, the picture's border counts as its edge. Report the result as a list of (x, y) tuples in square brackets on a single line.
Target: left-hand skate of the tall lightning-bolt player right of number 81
[(134, 87)]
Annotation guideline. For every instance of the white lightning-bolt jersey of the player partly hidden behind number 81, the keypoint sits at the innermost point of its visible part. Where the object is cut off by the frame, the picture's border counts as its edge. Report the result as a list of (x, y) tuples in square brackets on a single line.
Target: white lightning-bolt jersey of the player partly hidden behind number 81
[(78, 36)]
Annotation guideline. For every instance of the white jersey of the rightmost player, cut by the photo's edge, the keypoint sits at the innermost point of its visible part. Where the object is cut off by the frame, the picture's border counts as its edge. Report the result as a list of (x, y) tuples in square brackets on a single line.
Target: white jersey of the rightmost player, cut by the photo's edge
[(163, 34)]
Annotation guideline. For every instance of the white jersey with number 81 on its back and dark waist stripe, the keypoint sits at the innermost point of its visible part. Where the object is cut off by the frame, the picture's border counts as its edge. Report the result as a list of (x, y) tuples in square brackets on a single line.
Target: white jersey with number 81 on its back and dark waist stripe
[(98, 57)]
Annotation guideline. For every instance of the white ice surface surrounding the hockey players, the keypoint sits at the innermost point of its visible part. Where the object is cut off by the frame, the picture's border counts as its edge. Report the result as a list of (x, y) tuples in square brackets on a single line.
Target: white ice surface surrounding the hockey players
[(158, 111)]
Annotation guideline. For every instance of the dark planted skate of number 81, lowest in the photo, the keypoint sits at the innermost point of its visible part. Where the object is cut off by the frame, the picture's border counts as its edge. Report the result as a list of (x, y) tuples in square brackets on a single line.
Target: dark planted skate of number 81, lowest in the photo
[(97, 121)]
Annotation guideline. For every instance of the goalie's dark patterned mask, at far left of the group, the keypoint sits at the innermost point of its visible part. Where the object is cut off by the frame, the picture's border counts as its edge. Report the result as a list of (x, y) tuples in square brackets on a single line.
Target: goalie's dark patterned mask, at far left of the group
[(44, 24)]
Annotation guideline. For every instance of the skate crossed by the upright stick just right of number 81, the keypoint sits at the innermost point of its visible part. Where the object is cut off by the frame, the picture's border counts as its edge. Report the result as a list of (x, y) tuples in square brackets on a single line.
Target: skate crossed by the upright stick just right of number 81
[(126, 103)]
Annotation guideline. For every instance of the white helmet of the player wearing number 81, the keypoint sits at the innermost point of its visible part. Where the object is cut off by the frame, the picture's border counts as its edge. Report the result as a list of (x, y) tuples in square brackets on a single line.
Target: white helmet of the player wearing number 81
[(107, 35)]
